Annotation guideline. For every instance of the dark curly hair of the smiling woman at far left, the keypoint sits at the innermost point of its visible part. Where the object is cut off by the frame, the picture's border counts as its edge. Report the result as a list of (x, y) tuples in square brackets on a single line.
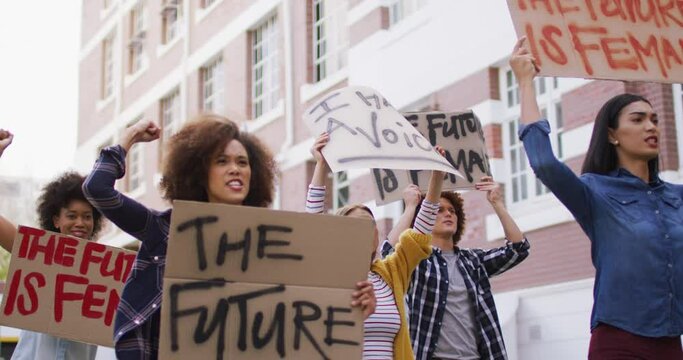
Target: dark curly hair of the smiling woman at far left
[(57, 194)]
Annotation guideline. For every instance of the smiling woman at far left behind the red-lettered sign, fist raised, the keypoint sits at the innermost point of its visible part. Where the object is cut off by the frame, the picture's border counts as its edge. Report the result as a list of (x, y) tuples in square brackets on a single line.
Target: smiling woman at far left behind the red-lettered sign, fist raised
[(62, 208)]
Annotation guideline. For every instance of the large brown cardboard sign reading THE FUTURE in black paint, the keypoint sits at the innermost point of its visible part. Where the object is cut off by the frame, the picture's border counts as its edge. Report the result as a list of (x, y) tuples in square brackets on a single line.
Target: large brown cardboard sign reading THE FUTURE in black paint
[(253, 283)]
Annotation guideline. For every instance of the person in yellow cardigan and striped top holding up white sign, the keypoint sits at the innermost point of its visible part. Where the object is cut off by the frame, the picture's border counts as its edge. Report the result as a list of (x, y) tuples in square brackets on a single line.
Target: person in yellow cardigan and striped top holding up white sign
[(386, 331)]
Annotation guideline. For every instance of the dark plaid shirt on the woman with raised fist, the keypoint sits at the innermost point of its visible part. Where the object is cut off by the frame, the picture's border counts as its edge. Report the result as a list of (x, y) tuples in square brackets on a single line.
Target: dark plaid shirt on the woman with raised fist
[(136, 328)]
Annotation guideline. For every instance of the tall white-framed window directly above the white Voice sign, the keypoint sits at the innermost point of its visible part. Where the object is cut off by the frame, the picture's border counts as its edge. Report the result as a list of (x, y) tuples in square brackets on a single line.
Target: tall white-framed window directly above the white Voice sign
[(330, 37)]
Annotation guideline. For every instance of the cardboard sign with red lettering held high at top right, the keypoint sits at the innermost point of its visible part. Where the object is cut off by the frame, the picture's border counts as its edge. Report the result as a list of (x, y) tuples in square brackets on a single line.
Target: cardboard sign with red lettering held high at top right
[(621, 40)]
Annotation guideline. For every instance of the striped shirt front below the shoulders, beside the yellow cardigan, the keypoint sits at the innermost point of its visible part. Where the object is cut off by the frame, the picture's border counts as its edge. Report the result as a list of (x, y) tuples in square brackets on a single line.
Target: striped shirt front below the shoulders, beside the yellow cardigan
[(382, 326)]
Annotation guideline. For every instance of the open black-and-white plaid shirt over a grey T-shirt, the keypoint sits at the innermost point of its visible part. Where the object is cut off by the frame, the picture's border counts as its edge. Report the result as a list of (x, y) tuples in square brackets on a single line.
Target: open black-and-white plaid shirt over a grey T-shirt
[(429, 287)]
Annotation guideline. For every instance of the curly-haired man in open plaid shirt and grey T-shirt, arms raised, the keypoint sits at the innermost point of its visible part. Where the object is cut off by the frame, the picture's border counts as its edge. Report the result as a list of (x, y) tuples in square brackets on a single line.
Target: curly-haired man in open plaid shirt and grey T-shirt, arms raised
[(452, 312)]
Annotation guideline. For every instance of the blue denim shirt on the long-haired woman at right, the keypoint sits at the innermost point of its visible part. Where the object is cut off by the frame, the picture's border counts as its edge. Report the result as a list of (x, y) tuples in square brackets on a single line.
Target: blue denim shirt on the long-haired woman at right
[(636, 233)]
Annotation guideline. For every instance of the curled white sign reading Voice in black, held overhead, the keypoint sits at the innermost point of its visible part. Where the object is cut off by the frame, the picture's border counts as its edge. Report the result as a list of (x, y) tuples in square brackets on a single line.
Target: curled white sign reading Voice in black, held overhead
[(367, 132)]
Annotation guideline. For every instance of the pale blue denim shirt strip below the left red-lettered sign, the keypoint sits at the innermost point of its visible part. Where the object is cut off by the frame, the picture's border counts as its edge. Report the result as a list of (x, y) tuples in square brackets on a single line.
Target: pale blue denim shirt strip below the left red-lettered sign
[(34, 345)]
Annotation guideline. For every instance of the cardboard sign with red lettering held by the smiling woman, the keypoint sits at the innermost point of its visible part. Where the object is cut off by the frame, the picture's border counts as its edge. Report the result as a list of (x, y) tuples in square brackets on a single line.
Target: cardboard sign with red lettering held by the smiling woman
[(64, 286)]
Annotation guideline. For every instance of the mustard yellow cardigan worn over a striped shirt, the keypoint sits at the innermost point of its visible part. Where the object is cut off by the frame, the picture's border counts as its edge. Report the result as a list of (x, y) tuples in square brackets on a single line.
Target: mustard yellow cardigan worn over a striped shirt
[(396, 270)]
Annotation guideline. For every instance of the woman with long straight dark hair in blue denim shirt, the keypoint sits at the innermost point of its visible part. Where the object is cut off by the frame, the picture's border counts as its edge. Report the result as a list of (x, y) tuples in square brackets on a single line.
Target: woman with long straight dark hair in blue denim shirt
[(633, 219)]
